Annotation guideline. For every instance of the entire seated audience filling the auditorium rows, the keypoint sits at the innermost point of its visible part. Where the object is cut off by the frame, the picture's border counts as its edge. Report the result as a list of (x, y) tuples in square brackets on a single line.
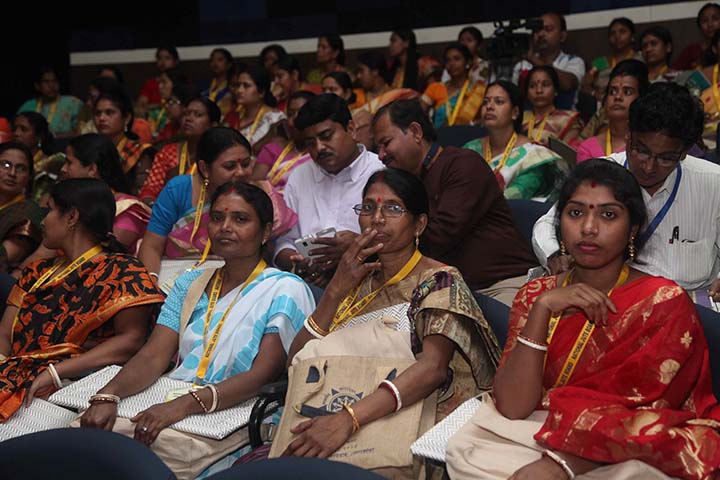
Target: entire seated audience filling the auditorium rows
[(341, 224)]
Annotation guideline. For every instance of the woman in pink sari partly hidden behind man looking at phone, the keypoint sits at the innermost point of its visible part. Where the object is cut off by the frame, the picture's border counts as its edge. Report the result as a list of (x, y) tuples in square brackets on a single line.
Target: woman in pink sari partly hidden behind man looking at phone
[(277, 159)]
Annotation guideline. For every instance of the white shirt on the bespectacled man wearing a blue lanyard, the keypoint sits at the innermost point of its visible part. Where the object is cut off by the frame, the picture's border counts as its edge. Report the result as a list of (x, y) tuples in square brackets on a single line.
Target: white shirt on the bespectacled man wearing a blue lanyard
[(693, 260)]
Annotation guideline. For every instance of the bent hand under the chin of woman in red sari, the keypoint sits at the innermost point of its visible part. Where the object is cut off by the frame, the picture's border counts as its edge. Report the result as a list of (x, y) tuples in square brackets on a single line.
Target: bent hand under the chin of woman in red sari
[(590, 300)]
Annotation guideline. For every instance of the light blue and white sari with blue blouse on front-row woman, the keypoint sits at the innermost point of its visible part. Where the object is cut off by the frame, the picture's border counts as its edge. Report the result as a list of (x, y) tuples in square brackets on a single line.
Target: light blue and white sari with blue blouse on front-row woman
[(275, 302)]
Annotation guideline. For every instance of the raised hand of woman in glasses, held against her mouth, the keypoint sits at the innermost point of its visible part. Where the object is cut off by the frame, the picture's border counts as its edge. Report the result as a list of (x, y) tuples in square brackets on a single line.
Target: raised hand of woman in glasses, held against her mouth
[(352, 267)]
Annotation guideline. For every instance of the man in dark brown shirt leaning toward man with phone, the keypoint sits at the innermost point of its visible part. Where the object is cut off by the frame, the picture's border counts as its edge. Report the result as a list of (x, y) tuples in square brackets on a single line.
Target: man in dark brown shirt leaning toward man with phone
[(470, 225)]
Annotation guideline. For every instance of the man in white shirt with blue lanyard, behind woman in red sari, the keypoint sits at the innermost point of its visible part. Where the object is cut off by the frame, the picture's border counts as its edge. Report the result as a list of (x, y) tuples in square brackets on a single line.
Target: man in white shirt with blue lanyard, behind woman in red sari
[(681, 193)]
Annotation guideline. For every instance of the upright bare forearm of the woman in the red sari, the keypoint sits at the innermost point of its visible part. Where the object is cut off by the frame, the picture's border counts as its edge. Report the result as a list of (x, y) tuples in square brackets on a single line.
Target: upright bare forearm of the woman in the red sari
[(518, 383)]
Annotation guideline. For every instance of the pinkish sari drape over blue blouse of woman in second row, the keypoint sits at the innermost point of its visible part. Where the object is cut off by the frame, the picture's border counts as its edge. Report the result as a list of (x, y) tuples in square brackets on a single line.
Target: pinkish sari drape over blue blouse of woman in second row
[(179, 244)]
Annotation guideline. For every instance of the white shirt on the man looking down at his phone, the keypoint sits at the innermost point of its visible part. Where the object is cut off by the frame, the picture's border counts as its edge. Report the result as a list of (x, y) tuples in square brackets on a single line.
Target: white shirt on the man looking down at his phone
[(322, 200)]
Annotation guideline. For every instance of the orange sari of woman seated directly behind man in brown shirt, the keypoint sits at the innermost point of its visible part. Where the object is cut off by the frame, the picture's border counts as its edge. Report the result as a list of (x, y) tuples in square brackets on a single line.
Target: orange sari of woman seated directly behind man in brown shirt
[(437, 95)]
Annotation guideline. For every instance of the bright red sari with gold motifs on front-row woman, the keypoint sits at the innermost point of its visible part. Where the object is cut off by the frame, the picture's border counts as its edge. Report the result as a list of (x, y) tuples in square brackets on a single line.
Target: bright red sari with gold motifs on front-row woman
[(641, 389)]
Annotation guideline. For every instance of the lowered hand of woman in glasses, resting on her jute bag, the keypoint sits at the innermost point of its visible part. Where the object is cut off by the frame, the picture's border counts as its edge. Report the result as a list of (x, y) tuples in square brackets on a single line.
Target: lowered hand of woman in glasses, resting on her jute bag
[(320, 436)]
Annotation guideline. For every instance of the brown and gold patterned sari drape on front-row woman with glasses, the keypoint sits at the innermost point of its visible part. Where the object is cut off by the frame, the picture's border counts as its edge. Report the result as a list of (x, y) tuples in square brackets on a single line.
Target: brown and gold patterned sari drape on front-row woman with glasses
[(442, 304)]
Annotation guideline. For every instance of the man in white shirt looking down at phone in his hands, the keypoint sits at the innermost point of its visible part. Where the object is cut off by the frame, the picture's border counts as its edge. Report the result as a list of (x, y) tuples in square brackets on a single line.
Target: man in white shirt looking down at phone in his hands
[(323, 192)]
